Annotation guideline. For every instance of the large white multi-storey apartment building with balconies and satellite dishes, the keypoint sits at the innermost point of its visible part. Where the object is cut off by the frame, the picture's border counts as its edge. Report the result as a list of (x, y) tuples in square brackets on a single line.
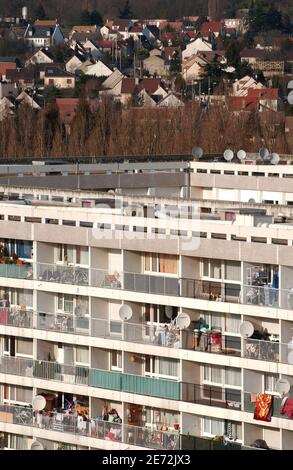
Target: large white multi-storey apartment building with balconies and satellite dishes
[(127, 304)]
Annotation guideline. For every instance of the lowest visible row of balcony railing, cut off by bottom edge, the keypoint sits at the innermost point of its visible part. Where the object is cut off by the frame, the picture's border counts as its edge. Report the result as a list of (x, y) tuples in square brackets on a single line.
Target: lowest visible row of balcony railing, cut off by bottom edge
[(115, 432)]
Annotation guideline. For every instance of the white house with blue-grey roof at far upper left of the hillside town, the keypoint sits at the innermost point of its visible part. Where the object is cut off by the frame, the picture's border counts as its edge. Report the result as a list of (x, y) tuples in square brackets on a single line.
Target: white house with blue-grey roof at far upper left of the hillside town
[(43, 34)]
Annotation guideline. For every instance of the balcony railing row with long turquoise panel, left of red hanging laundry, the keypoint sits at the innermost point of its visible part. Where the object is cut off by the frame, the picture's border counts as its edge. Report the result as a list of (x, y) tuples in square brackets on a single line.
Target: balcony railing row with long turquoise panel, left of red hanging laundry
[(139, 385)]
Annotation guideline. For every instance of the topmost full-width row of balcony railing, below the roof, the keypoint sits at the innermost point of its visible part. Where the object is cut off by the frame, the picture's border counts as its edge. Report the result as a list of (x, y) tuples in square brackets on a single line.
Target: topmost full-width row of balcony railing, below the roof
[(153, 284)]
